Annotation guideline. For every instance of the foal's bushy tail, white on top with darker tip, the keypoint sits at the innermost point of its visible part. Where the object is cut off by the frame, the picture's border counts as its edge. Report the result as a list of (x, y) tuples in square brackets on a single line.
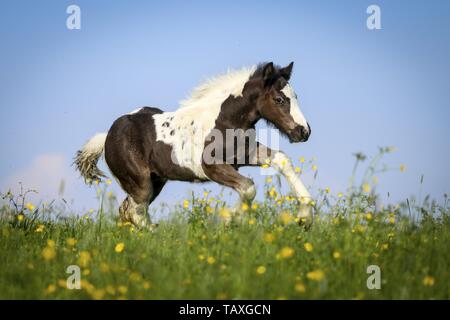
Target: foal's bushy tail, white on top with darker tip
[(87, 158)]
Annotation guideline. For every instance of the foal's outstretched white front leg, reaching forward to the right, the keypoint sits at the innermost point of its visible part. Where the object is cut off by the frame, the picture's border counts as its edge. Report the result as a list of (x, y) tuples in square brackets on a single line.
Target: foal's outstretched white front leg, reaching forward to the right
[(281, 162)]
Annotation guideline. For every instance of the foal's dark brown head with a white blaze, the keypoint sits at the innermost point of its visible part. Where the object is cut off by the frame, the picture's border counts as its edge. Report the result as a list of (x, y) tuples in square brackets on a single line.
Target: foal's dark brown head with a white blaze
[(277, 103)]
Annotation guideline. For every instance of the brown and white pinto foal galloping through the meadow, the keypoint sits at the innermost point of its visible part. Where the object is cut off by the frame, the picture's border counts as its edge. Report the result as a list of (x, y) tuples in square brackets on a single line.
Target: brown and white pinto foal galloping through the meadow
[(148, 147)]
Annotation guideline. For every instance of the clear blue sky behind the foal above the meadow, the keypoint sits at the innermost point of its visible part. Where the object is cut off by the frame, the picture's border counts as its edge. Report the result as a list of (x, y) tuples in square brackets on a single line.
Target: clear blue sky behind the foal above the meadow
[(358, 88)]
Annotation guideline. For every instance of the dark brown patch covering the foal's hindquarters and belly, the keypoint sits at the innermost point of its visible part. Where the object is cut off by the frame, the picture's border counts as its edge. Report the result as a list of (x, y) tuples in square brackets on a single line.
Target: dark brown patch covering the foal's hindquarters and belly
[(137, 160)]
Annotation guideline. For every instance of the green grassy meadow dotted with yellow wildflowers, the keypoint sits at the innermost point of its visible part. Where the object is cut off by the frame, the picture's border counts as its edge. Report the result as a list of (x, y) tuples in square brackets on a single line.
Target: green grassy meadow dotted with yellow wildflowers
[(261, 254)]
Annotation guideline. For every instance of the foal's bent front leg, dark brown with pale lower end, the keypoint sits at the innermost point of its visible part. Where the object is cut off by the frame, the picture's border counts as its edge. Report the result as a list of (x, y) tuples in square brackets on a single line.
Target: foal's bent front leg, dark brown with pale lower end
[(227, 175)]
